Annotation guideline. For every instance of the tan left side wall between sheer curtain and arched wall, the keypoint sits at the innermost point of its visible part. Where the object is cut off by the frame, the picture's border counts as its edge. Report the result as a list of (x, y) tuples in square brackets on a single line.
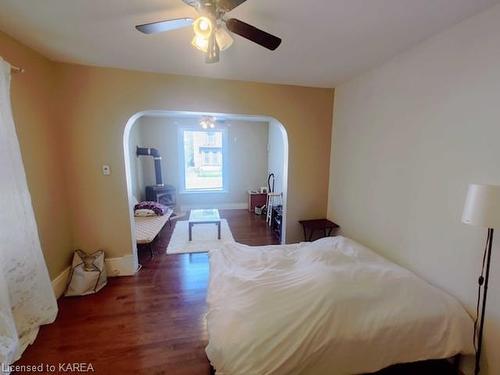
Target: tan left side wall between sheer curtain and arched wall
[(40, 140)]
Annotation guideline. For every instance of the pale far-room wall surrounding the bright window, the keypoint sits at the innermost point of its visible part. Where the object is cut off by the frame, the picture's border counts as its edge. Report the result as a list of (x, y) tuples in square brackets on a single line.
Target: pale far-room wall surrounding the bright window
[(247, 159)]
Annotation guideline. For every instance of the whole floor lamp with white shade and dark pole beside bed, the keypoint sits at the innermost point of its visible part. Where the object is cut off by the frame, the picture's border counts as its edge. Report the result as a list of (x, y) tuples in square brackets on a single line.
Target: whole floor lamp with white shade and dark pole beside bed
[(482, 208)]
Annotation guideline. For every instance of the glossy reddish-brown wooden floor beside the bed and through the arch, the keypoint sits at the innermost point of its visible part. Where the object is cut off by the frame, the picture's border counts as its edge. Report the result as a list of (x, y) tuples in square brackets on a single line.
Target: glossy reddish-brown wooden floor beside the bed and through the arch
[(153, 322)]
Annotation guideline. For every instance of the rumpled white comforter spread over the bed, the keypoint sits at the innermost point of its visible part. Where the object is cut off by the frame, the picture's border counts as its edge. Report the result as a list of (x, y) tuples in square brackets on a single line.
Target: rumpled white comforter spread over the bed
[(327, 307)]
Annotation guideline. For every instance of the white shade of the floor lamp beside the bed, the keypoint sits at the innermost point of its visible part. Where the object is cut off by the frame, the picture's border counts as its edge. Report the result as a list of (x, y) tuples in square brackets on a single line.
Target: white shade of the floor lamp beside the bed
[(482, 206)]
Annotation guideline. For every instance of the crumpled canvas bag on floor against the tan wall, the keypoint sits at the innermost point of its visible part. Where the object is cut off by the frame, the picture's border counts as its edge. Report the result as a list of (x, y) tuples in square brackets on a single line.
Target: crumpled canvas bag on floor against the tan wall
[(88, 274)]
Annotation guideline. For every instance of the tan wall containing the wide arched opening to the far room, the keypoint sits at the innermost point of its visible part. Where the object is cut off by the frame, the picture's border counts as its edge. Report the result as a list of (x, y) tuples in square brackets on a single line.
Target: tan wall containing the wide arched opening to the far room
[(98, 102)]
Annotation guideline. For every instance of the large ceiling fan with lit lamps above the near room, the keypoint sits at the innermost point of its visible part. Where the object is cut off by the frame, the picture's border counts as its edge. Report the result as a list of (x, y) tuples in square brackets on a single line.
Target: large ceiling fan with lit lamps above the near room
[(211, 28)]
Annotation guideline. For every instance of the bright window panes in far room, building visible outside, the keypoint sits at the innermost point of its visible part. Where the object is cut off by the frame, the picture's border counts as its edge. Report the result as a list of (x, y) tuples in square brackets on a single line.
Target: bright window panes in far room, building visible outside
[(203, 158)]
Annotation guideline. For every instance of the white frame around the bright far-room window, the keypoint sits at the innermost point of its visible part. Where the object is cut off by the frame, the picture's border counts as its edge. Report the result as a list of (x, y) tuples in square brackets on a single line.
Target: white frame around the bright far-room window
[(182, 165)]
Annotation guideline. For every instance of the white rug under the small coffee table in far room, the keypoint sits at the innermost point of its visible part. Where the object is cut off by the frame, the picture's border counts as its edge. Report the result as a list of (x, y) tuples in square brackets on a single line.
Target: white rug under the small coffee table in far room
[(204, 238)]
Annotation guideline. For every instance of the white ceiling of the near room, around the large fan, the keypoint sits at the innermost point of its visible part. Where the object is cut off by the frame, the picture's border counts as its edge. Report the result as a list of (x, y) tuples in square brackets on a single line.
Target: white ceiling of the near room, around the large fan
[(324, 41)]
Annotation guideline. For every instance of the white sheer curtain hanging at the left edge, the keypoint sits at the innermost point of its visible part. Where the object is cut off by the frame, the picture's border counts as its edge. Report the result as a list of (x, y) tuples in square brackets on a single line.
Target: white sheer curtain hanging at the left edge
[(26, 297)]
